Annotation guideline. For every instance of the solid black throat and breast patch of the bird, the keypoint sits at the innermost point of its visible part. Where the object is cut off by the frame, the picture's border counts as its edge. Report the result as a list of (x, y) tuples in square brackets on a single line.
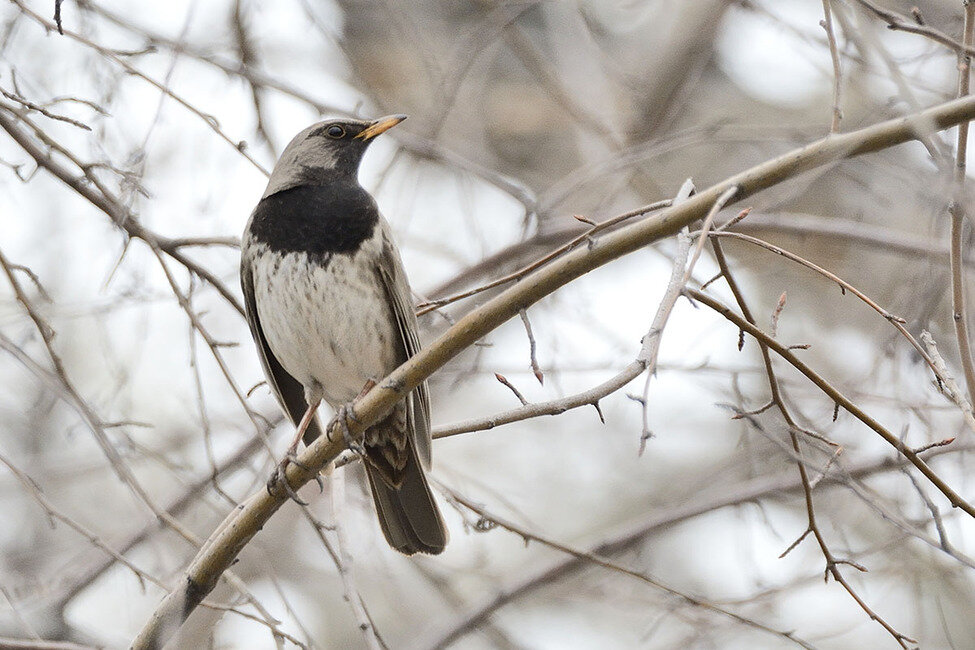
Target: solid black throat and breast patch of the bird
[(320, 220)]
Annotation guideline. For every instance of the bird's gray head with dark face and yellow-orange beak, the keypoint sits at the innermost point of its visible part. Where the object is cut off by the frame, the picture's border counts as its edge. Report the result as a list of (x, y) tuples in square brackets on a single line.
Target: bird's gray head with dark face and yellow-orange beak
[(324, 150)]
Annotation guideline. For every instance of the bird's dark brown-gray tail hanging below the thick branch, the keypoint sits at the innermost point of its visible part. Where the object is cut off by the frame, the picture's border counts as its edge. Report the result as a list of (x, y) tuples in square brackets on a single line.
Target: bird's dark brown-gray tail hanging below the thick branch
[(408, 514)]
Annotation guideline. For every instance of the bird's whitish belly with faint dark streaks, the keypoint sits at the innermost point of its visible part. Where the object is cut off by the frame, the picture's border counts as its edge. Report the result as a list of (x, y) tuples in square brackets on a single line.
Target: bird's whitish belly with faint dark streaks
[(332, 327)]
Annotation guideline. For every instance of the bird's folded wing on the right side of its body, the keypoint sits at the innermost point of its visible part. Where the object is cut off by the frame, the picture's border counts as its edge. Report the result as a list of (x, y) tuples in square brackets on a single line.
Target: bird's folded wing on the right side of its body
[(393, 278)]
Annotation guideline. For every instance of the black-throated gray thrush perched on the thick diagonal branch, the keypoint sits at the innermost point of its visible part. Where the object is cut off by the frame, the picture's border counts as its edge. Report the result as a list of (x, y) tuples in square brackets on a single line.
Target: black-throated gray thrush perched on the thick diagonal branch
[(330, 309)]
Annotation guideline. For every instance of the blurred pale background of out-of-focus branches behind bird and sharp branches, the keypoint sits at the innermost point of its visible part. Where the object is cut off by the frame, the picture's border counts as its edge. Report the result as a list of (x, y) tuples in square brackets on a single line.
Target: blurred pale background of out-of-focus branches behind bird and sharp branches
[(132, 417)]
